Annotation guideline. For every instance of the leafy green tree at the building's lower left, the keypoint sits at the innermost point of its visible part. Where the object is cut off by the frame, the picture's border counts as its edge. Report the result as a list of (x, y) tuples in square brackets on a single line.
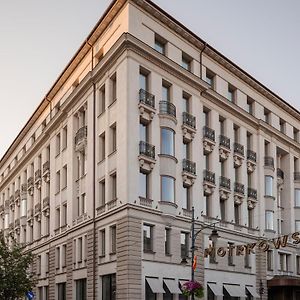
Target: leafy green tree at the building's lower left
[(15, 277)]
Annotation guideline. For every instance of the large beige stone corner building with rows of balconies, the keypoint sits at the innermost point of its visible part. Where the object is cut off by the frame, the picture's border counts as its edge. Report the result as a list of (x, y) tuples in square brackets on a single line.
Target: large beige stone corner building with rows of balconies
[(146, 121)]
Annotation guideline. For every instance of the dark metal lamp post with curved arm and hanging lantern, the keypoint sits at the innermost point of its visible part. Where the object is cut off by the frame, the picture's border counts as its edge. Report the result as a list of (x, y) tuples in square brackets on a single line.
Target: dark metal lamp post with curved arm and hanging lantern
[(214, 236)]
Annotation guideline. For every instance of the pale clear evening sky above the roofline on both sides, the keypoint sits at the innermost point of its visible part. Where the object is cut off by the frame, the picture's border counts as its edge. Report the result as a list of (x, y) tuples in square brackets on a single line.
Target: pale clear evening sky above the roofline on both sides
[(39, 37)]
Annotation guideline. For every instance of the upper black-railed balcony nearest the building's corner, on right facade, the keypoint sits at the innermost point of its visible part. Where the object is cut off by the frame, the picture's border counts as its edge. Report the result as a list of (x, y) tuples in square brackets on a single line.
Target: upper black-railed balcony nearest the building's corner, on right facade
[(146, 106)]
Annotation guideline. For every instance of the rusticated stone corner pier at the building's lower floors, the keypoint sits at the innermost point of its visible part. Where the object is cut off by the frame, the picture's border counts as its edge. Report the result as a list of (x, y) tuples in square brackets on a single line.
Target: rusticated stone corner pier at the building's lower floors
[(129, 259)]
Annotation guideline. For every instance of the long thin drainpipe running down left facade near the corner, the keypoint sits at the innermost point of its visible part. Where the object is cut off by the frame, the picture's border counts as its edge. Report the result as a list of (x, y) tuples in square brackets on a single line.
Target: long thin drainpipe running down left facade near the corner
[(94, 175)]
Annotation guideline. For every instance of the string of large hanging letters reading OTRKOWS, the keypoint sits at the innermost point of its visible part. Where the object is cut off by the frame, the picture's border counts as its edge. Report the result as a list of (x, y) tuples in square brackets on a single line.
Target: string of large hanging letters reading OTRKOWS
[(262, 245)]
